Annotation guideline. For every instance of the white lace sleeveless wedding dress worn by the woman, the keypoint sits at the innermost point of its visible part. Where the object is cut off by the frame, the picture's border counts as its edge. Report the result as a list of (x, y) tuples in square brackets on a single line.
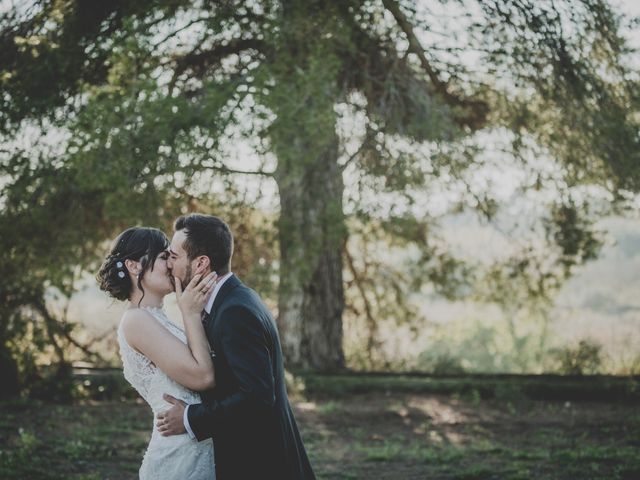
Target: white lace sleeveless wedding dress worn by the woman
[(174, 457)]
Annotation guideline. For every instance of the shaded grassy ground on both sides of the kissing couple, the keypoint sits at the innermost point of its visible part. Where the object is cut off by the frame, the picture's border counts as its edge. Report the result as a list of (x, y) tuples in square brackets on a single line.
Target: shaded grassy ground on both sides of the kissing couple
[(380, 434)]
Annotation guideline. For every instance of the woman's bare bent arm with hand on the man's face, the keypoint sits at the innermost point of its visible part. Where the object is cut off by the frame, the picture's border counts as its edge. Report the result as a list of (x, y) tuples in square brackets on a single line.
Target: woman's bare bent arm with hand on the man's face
[(191, 364)]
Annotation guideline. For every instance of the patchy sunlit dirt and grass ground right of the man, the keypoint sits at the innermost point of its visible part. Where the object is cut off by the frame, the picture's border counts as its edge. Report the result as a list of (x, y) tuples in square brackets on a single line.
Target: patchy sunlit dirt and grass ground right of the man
[(403, 436)]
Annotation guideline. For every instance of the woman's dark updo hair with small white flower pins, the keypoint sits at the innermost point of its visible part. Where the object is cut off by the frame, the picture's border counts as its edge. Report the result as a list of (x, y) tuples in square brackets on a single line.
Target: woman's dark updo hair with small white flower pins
[(140, 244)]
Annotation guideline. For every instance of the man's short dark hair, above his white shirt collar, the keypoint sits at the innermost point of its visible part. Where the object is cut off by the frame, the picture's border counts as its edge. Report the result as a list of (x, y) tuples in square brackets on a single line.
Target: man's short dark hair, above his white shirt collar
[(207, 235)]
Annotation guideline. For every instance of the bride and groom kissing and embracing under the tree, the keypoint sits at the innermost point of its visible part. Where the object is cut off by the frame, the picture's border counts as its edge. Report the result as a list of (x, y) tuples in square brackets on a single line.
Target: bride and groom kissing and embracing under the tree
[(217, 388)]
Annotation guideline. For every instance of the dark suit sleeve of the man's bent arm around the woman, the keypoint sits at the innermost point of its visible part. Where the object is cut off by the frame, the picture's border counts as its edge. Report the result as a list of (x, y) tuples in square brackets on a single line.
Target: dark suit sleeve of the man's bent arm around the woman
[(246, 348)]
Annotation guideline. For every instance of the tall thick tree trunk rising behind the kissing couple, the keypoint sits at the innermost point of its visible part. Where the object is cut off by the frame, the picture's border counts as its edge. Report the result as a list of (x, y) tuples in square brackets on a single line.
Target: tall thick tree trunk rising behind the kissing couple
[(303, 136)]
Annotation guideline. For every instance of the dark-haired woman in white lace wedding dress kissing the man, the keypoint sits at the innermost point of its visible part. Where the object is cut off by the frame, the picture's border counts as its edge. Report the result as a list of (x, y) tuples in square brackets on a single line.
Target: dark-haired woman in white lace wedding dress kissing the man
[(157, 356)]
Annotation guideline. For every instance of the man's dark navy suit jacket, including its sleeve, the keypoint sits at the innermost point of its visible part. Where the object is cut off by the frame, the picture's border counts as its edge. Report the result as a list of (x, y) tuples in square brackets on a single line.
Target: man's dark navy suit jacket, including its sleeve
[(248, 413)]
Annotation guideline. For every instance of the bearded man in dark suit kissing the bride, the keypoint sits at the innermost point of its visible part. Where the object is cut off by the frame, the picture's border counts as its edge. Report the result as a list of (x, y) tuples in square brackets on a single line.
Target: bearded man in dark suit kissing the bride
[(248, 413)]
